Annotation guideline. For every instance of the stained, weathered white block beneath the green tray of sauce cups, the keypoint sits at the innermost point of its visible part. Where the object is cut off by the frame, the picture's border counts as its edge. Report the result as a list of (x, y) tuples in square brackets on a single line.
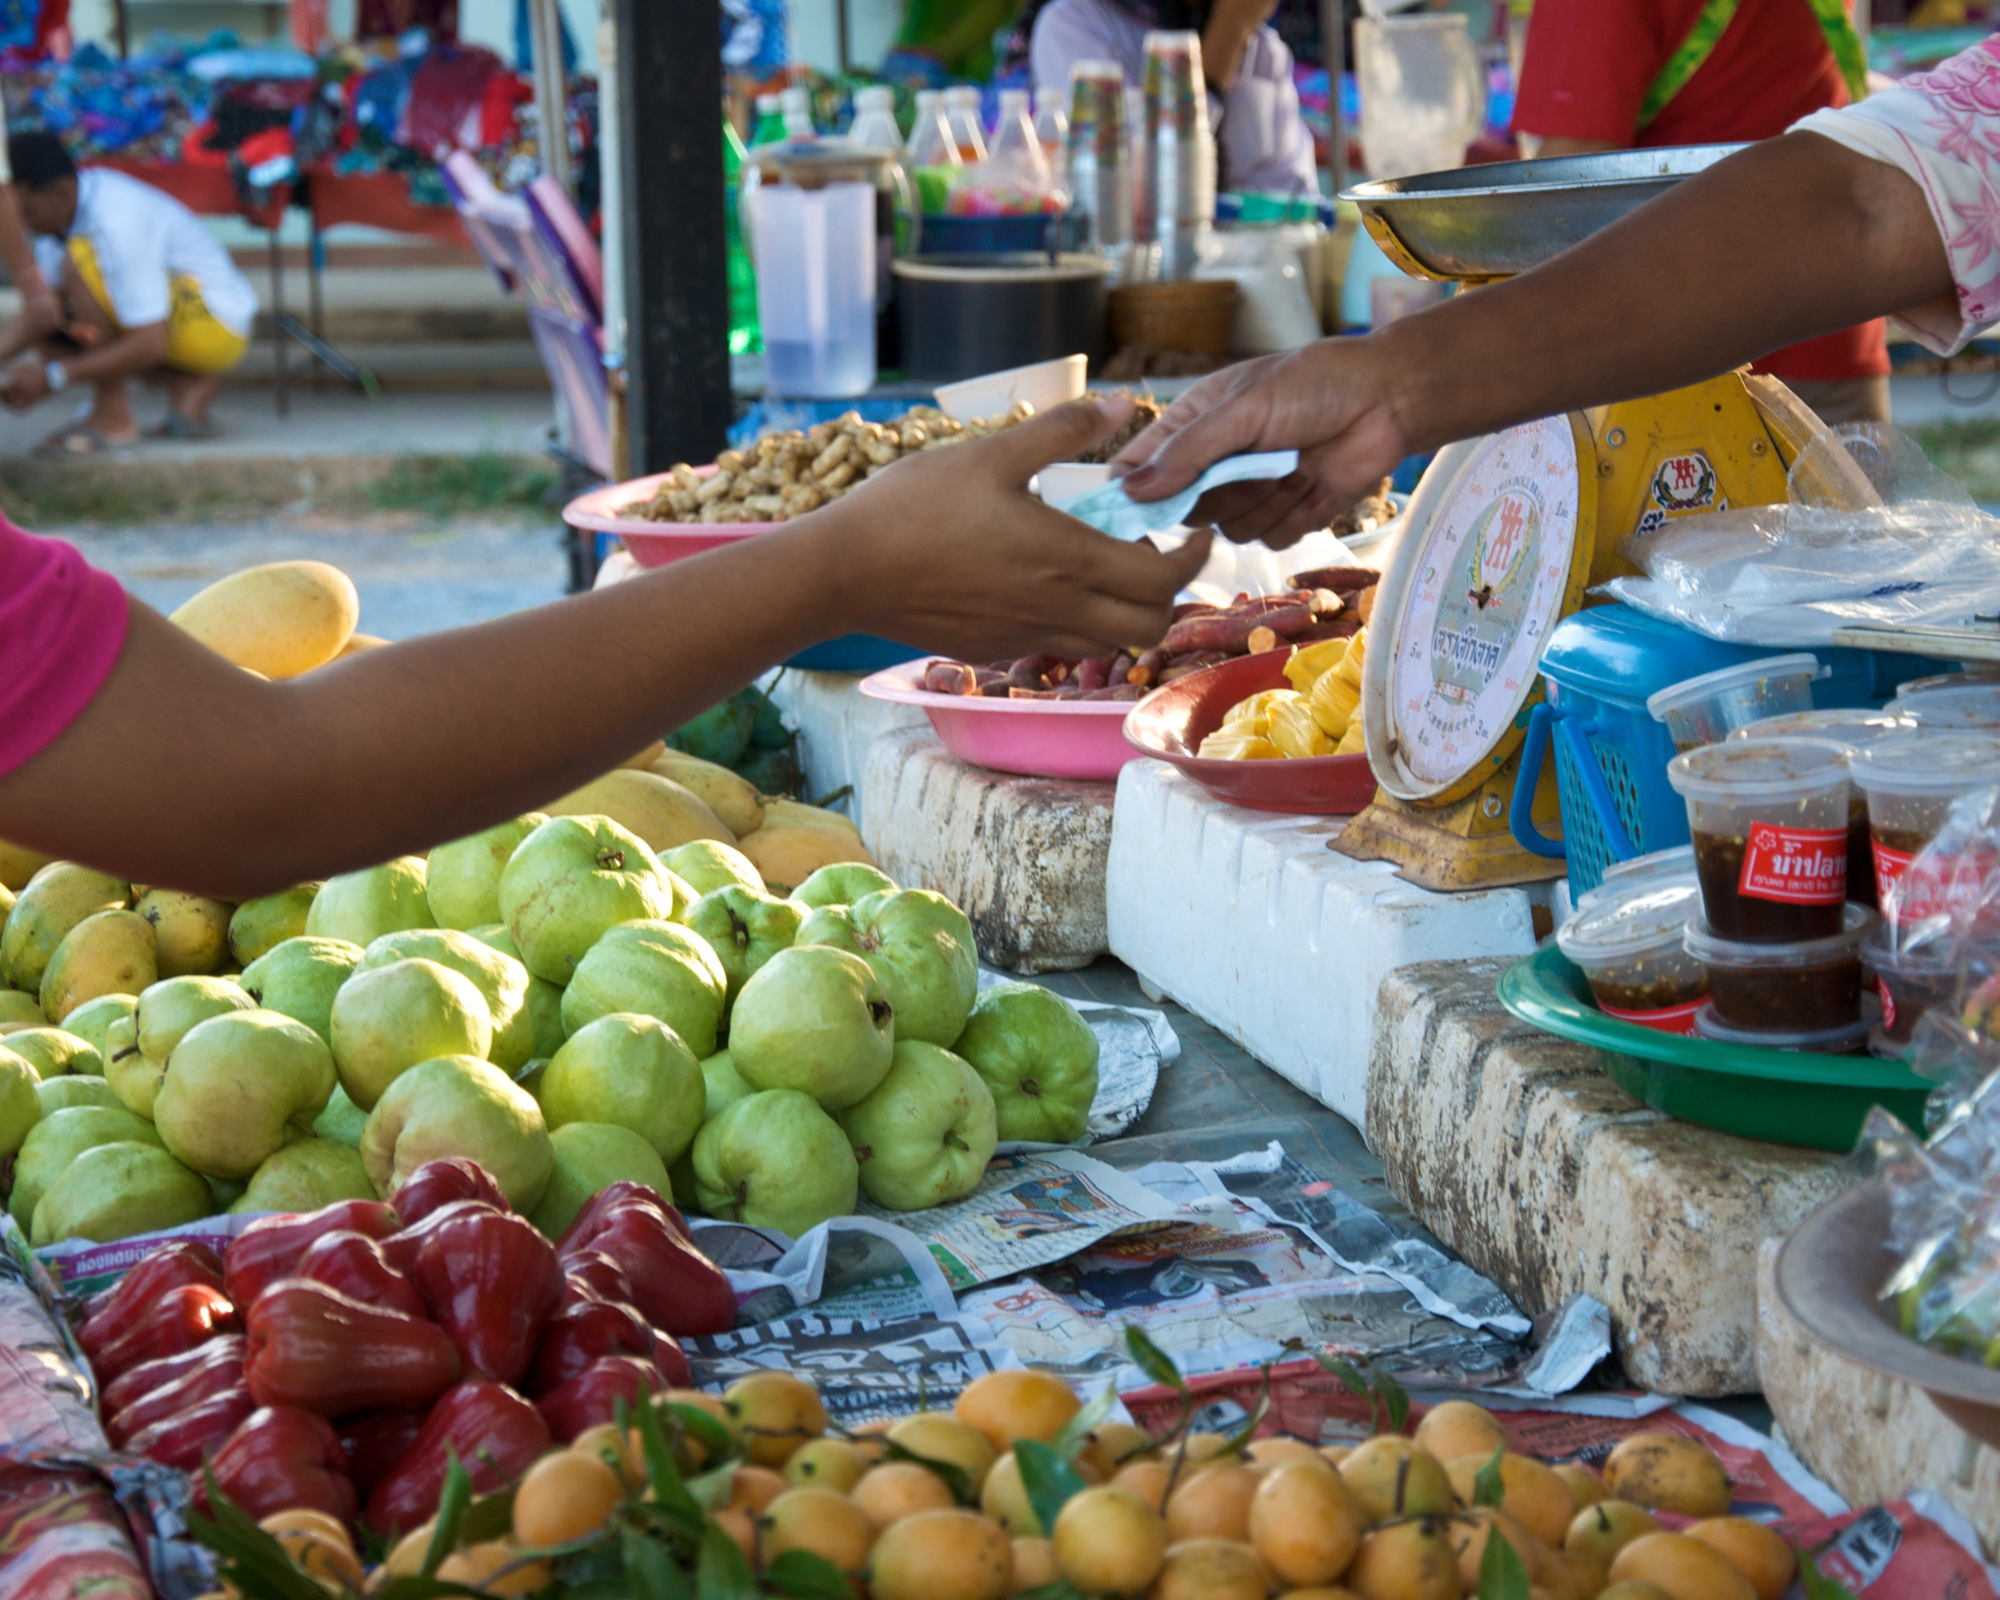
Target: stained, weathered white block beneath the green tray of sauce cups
[(1521, 1155)]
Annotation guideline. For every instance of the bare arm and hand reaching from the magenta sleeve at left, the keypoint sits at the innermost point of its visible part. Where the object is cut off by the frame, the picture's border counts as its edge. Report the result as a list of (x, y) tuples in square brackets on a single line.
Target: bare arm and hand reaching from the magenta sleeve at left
[(187, 771)]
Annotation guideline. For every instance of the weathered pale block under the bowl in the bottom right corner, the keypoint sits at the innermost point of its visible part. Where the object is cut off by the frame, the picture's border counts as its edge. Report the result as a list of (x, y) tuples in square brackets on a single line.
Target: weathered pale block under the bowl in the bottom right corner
[(1869, 1437)]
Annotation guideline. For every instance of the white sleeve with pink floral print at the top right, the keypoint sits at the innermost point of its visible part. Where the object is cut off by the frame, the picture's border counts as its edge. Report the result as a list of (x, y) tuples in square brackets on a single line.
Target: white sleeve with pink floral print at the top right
[(1943, 129)]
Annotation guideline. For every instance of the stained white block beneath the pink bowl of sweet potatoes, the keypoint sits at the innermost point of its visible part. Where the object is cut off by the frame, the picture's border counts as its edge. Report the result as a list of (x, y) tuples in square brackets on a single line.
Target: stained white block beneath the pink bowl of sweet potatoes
[(1025, 857)]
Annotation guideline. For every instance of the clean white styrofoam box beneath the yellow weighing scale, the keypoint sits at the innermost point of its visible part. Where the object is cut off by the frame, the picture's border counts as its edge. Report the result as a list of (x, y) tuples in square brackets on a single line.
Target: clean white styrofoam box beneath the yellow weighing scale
[(1249, 921)]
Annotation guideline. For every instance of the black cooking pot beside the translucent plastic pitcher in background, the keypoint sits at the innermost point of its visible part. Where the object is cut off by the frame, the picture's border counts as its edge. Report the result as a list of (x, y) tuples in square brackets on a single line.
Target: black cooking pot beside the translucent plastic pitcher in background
[(971, 315)]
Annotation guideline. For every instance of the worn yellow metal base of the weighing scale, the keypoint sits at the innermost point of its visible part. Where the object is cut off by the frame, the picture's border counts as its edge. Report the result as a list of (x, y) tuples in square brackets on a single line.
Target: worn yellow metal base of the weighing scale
[(1463, 845)]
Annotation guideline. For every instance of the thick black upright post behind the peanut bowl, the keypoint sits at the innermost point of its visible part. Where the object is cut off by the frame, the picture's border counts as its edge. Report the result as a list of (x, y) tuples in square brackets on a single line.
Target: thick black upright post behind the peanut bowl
[(675, 253)]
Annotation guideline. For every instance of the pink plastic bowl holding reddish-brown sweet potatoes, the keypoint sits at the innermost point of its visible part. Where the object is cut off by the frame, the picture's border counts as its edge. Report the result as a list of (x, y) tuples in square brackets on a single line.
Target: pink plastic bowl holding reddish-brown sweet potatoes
[(1039, 739)]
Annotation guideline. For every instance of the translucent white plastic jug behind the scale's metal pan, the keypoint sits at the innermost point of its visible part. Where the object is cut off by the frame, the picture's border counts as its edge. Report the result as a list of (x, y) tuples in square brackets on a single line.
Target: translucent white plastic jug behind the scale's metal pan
[(1423, 93)]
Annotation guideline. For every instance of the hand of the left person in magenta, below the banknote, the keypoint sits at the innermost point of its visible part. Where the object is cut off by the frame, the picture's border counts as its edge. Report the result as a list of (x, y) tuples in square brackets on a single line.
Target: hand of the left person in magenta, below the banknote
[(949, 551)]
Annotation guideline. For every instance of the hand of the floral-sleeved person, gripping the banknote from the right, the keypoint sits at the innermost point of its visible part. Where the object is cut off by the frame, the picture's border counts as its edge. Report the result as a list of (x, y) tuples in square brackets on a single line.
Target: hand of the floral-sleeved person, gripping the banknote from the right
[(1329, 401)]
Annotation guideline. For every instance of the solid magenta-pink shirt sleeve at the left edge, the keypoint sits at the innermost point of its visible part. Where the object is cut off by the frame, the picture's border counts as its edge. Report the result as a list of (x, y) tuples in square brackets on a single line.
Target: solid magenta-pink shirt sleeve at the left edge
[(61, 629)]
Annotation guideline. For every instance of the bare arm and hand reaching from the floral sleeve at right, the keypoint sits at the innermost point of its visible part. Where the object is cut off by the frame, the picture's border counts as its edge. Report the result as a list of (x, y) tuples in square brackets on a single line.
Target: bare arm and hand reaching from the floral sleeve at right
[(1785, 241)]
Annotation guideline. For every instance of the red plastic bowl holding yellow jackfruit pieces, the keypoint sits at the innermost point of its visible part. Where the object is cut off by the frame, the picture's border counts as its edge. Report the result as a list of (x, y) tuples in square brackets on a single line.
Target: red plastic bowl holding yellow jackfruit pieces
[(1173, 723)]
